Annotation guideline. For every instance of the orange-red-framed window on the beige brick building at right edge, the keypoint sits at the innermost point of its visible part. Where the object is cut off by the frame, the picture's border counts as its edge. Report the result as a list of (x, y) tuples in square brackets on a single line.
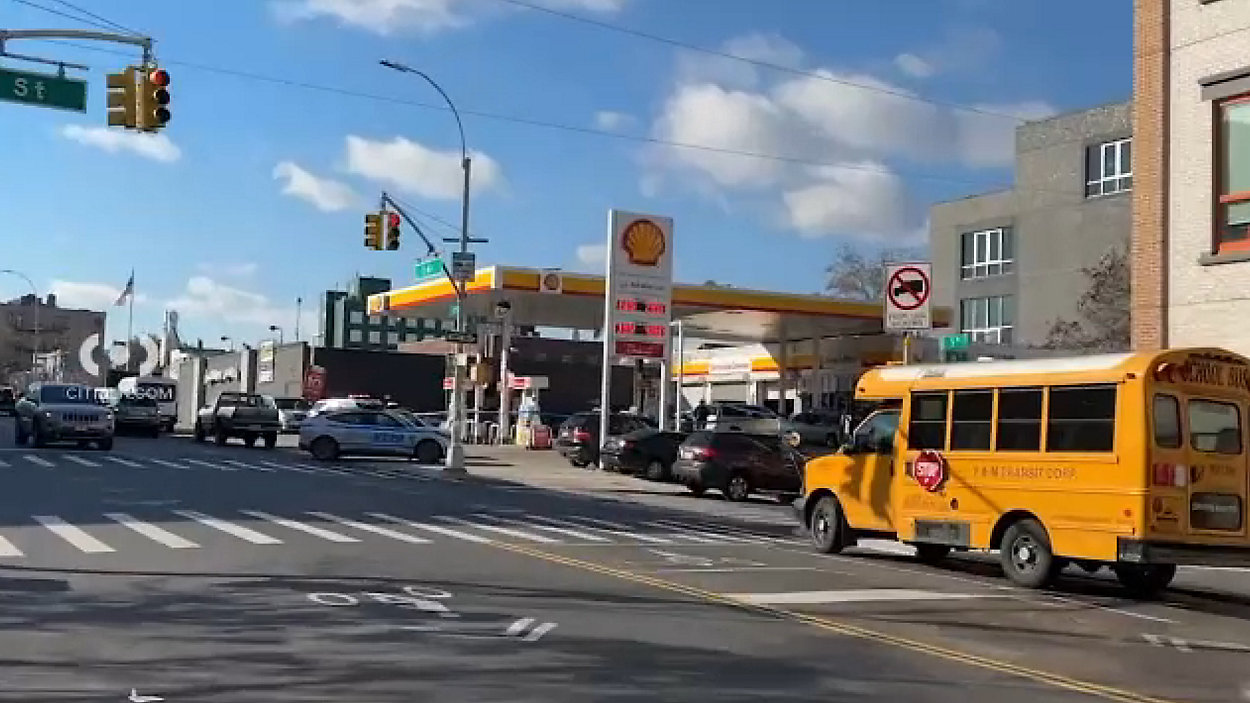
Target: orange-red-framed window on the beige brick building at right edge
[(1233, 218)]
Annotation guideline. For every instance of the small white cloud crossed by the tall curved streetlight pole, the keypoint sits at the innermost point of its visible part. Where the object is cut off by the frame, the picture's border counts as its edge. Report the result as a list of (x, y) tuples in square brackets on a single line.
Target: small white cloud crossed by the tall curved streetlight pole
[(414, 168)]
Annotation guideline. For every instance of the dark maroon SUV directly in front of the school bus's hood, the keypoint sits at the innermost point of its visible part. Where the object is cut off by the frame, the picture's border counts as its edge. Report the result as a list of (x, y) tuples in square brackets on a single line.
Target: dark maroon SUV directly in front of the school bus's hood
[(739, 465)]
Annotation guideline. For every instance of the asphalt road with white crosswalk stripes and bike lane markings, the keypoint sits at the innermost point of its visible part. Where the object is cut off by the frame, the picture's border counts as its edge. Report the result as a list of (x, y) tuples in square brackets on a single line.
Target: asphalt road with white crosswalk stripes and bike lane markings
[(203, 574)]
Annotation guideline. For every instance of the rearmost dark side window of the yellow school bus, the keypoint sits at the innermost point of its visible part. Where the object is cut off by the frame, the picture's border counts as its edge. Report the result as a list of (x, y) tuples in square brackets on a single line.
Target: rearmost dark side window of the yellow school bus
[(1082, 418)]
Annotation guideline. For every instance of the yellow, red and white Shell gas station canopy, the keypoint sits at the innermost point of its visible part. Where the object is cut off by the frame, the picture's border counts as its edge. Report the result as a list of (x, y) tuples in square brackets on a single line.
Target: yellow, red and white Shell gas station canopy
[(573, 301)]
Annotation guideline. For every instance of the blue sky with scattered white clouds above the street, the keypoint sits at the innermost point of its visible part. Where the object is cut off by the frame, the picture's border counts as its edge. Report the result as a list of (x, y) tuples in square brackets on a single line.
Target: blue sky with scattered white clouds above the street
[(256, 193)]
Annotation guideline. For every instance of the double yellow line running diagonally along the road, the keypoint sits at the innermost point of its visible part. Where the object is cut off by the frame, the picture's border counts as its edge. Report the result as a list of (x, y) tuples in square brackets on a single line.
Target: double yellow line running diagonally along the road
[(1058, 681)]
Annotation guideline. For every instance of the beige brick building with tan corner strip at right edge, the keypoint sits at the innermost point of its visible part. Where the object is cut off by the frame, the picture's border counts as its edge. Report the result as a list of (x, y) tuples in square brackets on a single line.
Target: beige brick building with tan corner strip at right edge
[(1192, 174)]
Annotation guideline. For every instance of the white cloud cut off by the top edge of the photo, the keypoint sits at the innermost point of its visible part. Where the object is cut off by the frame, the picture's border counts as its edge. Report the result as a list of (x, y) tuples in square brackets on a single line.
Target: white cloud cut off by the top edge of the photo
[(424, 17)]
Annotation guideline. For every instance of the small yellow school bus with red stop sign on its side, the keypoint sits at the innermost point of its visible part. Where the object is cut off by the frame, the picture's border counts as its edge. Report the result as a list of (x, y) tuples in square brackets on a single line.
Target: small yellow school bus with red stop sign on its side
[(1131, 461)]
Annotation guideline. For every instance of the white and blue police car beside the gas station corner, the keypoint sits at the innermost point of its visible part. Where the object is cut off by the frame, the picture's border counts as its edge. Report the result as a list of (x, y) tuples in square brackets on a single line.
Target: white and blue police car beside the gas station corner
[(366, 432)]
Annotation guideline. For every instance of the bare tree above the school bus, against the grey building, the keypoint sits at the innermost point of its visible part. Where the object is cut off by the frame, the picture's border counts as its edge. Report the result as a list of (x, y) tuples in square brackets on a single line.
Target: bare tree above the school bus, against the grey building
[(1103, 310)]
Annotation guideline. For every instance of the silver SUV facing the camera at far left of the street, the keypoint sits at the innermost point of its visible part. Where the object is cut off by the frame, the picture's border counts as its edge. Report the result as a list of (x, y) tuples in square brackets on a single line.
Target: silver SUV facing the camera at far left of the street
[(54, 412)]
